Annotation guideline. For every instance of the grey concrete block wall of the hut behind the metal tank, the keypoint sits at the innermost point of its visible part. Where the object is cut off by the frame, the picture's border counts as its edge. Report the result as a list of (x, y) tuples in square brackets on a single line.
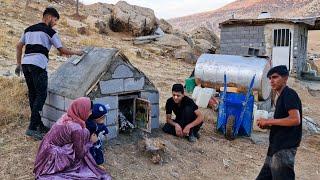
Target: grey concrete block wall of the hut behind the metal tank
[(235, 40)]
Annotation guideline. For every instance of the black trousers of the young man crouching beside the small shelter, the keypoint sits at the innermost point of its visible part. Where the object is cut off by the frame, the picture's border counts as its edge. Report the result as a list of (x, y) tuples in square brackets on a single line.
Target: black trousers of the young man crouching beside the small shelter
[(187, 116)]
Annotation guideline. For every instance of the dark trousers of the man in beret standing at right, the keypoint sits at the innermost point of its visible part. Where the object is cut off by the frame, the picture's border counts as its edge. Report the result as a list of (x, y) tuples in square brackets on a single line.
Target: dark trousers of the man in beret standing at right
[(279, 166)]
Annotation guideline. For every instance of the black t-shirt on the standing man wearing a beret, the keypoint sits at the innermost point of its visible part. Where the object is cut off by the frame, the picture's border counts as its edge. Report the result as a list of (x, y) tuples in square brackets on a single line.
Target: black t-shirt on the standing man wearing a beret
[(282, 137)]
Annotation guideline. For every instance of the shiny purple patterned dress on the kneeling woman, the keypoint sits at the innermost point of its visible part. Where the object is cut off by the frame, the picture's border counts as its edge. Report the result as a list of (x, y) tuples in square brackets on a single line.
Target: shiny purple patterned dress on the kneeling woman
[(64, 154)]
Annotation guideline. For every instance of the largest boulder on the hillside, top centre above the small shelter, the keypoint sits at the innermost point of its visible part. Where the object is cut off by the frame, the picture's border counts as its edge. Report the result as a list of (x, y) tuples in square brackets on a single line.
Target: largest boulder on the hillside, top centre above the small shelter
[(138, 21)]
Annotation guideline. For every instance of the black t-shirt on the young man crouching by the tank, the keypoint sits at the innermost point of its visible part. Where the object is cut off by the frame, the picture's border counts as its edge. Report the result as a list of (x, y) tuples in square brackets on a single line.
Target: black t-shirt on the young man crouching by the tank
[(172, 106)]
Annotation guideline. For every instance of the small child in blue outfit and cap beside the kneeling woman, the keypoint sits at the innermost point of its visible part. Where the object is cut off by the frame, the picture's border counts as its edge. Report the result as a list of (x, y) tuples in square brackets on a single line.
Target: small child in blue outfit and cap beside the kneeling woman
[(95, 124)]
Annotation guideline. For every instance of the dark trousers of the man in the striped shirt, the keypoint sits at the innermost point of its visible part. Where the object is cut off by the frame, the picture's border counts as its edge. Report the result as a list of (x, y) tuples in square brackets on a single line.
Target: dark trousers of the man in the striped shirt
[(37, 82)]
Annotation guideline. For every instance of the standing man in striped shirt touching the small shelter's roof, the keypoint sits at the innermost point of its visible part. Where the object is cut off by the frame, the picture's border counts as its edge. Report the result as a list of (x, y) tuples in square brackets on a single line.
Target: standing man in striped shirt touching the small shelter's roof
[(38, 40)]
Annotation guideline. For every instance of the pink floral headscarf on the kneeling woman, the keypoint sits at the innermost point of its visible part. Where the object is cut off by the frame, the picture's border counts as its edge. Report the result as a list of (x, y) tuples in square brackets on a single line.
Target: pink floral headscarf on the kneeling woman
[(78, 112)]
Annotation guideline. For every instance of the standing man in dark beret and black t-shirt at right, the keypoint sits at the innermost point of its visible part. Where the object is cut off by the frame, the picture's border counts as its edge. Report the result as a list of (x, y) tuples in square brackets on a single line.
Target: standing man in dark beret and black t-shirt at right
[(286, 128)]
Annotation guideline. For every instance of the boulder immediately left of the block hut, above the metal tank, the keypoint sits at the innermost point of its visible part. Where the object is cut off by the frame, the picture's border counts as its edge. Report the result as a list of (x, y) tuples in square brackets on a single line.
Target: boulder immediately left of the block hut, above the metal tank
[(206, 34)]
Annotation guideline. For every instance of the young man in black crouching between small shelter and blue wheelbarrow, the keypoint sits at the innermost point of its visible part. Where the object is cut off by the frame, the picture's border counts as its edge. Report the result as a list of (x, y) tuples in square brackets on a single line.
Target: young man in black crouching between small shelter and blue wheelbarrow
[(188, 118)]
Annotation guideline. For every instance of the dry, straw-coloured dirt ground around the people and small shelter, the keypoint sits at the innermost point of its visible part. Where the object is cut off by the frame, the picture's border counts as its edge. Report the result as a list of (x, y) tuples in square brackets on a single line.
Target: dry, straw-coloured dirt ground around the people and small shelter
[(212, 157)]
